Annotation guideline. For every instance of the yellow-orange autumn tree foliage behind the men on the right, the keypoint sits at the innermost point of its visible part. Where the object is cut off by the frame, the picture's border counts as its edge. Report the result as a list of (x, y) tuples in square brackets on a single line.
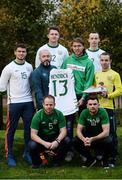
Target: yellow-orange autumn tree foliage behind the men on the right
[(79, 18)]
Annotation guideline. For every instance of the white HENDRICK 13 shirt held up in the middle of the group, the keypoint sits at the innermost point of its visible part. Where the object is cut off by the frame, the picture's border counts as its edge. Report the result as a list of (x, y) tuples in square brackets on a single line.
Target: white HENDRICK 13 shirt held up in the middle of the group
[(61, 86)]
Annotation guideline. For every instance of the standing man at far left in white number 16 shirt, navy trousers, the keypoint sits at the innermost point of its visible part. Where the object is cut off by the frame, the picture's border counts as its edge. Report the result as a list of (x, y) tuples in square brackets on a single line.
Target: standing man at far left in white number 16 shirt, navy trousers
[(15, 79)]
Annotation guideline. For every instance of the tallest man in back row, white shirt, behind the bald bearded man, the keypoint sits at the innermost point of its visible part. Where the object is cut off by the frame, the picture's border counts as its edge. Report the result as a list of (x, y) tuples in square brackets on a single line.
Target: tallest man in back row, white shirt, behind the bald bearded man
[(58, 52)]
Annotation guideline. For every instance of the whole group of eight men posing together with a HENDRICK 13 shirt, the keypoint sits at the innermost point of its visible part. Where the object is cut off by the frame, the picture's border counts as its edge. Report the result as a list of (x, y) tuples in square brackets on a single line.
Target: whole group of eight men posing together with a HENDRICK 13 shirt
[(58, 83)]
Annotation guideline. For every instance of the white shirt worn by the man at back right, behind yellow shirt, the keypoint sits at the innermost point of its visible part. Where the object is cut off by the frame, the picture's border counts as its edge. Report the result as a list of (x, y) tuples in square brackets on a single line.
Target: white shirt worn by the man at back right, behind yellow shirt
[(95, 57)]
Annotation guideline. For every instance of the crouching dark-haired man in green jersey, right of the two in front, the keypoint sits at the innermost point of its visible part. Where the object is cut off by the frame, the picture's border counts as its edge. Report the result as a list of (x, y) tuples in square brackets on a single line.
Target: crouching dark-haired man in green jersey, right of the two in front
[(93, 133)]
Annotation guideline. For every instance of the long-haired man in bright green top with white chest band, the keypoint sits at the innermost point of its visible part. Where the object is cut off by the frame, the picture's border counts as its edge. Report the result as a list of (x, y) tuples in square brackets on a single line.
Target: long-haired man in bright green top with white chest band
[(83, 69)]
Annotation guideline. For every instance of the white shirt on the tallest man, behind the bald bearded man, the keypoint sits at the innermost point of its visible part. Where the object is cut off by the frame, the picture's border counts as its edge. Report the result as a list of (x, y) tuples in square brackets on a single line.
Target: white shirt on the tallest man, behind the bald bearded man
[(59, 54)]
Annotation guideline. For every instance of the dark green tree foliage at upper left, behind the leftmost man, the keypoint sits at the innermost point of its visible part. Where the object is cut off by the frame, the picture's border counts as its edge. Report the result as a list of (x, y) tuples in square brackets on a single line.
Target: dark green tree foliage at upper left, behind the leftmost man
[(23, 21)]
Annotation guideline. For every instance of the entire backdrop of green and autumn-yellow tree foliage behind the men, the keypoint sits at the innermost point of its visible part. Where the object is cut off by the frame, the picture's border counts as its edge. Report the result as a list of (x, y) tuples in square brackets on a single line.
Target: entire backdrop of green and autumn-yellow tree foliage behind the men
[(27, 20)]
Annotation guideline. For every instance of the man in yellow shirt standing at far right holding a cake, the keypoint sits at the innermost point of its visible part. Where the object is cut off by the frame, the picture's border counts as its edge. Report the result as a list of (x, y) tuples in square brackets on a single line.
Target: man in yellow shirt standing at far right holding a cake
[(111, 80)]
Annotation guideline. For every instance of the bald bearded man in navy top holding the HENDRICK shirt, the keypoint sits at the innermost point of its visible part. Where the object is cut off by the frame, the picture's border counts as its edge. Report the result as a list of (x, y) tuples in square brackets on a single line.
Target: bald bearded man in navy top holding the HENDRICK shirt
[(40, 77)]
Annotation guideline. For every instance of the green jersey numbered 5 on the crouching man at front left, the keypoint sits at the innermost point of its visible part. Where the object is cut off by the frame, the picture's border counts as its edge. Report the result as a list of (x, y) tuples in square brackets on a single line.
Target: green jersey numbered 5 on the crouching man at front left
[(48, 125)]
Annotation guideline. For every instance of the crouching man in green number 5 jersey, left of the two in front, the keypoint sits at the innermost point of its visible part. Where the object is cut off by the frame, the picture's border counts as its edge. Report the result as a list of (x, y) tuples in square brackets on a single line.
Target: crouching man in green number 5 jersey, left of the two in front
[(48, 134)]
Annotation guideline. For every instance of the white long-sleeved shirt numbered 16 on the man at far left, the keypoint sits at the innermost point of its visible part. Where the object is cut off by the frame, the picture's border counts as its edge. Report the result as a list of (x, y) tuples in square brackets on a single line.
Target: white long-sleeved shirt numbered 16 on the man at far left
[(15, 79)]
